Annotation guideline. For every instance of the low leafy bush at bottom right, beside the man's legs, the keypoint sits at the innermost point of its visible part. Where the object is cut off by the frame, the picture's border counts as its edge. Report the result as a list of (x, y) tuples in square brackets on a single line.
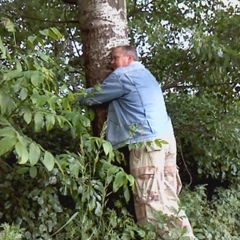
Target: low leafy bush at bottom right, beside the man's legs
[(215, 219)]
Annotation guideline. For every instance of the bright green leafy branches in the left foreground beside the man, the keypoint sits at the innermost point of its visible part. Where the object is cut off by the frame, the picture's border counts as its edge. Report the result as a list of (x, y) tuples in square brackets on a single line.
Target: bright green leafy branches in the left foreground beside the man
[(34, 105)]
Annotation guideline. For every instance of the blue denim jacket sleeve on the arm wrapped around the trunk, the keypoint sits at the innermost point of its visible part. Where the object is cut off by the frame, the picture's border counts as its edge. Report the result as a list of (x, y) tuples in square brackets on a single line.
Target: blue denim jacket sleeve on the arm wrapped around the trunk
[(110, 89)]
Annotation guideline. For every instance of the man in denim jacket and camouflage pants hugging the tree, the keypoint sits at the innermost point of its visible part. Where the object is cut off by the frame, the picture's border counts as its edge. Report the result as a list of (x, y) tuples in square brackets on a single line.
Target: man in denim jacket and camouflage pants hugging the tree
[(137, 117)]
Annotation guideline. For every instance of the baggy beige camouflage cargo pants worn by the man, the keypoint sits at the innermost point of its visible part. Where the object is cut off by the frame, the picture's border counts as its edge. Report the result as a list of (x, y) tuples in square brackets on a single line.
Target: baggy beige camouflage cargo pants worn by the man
[(157, 182)]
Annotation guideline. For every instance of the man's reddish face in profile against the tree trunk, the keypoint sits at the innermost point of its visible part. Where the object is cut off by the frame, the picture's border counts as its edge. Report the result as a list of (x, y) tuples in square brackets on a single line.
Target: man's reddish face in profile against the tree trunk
[(120, 59)]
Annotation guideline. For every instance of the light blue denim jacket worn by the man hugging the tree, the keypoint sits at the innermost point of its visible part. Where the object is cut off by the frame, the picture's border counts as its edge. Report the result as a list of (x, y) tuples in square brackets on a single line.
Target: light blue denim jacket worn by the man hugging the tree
[(136, 109)]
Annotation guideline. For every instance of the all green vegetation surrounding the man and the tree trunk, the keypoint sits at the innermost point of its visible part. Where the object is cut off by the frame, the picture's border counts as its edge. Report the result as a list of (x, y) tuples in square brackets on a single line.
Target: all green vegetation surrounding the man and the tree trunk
[(56, 178)]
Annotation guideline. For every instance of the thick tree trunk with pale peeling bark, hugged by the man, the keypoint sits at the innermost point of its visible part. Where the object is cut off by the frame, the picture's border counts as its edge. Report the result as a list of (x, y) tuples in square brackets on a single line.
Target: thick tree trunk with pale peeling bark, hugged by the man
[(103, 25)]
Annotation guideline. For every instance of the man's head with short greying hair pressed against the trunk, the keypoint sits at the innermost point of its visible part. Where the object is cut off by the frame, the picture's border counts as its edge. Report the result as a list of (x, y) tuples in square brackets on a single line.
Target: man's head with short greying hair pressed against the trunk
[(122, 56)]
